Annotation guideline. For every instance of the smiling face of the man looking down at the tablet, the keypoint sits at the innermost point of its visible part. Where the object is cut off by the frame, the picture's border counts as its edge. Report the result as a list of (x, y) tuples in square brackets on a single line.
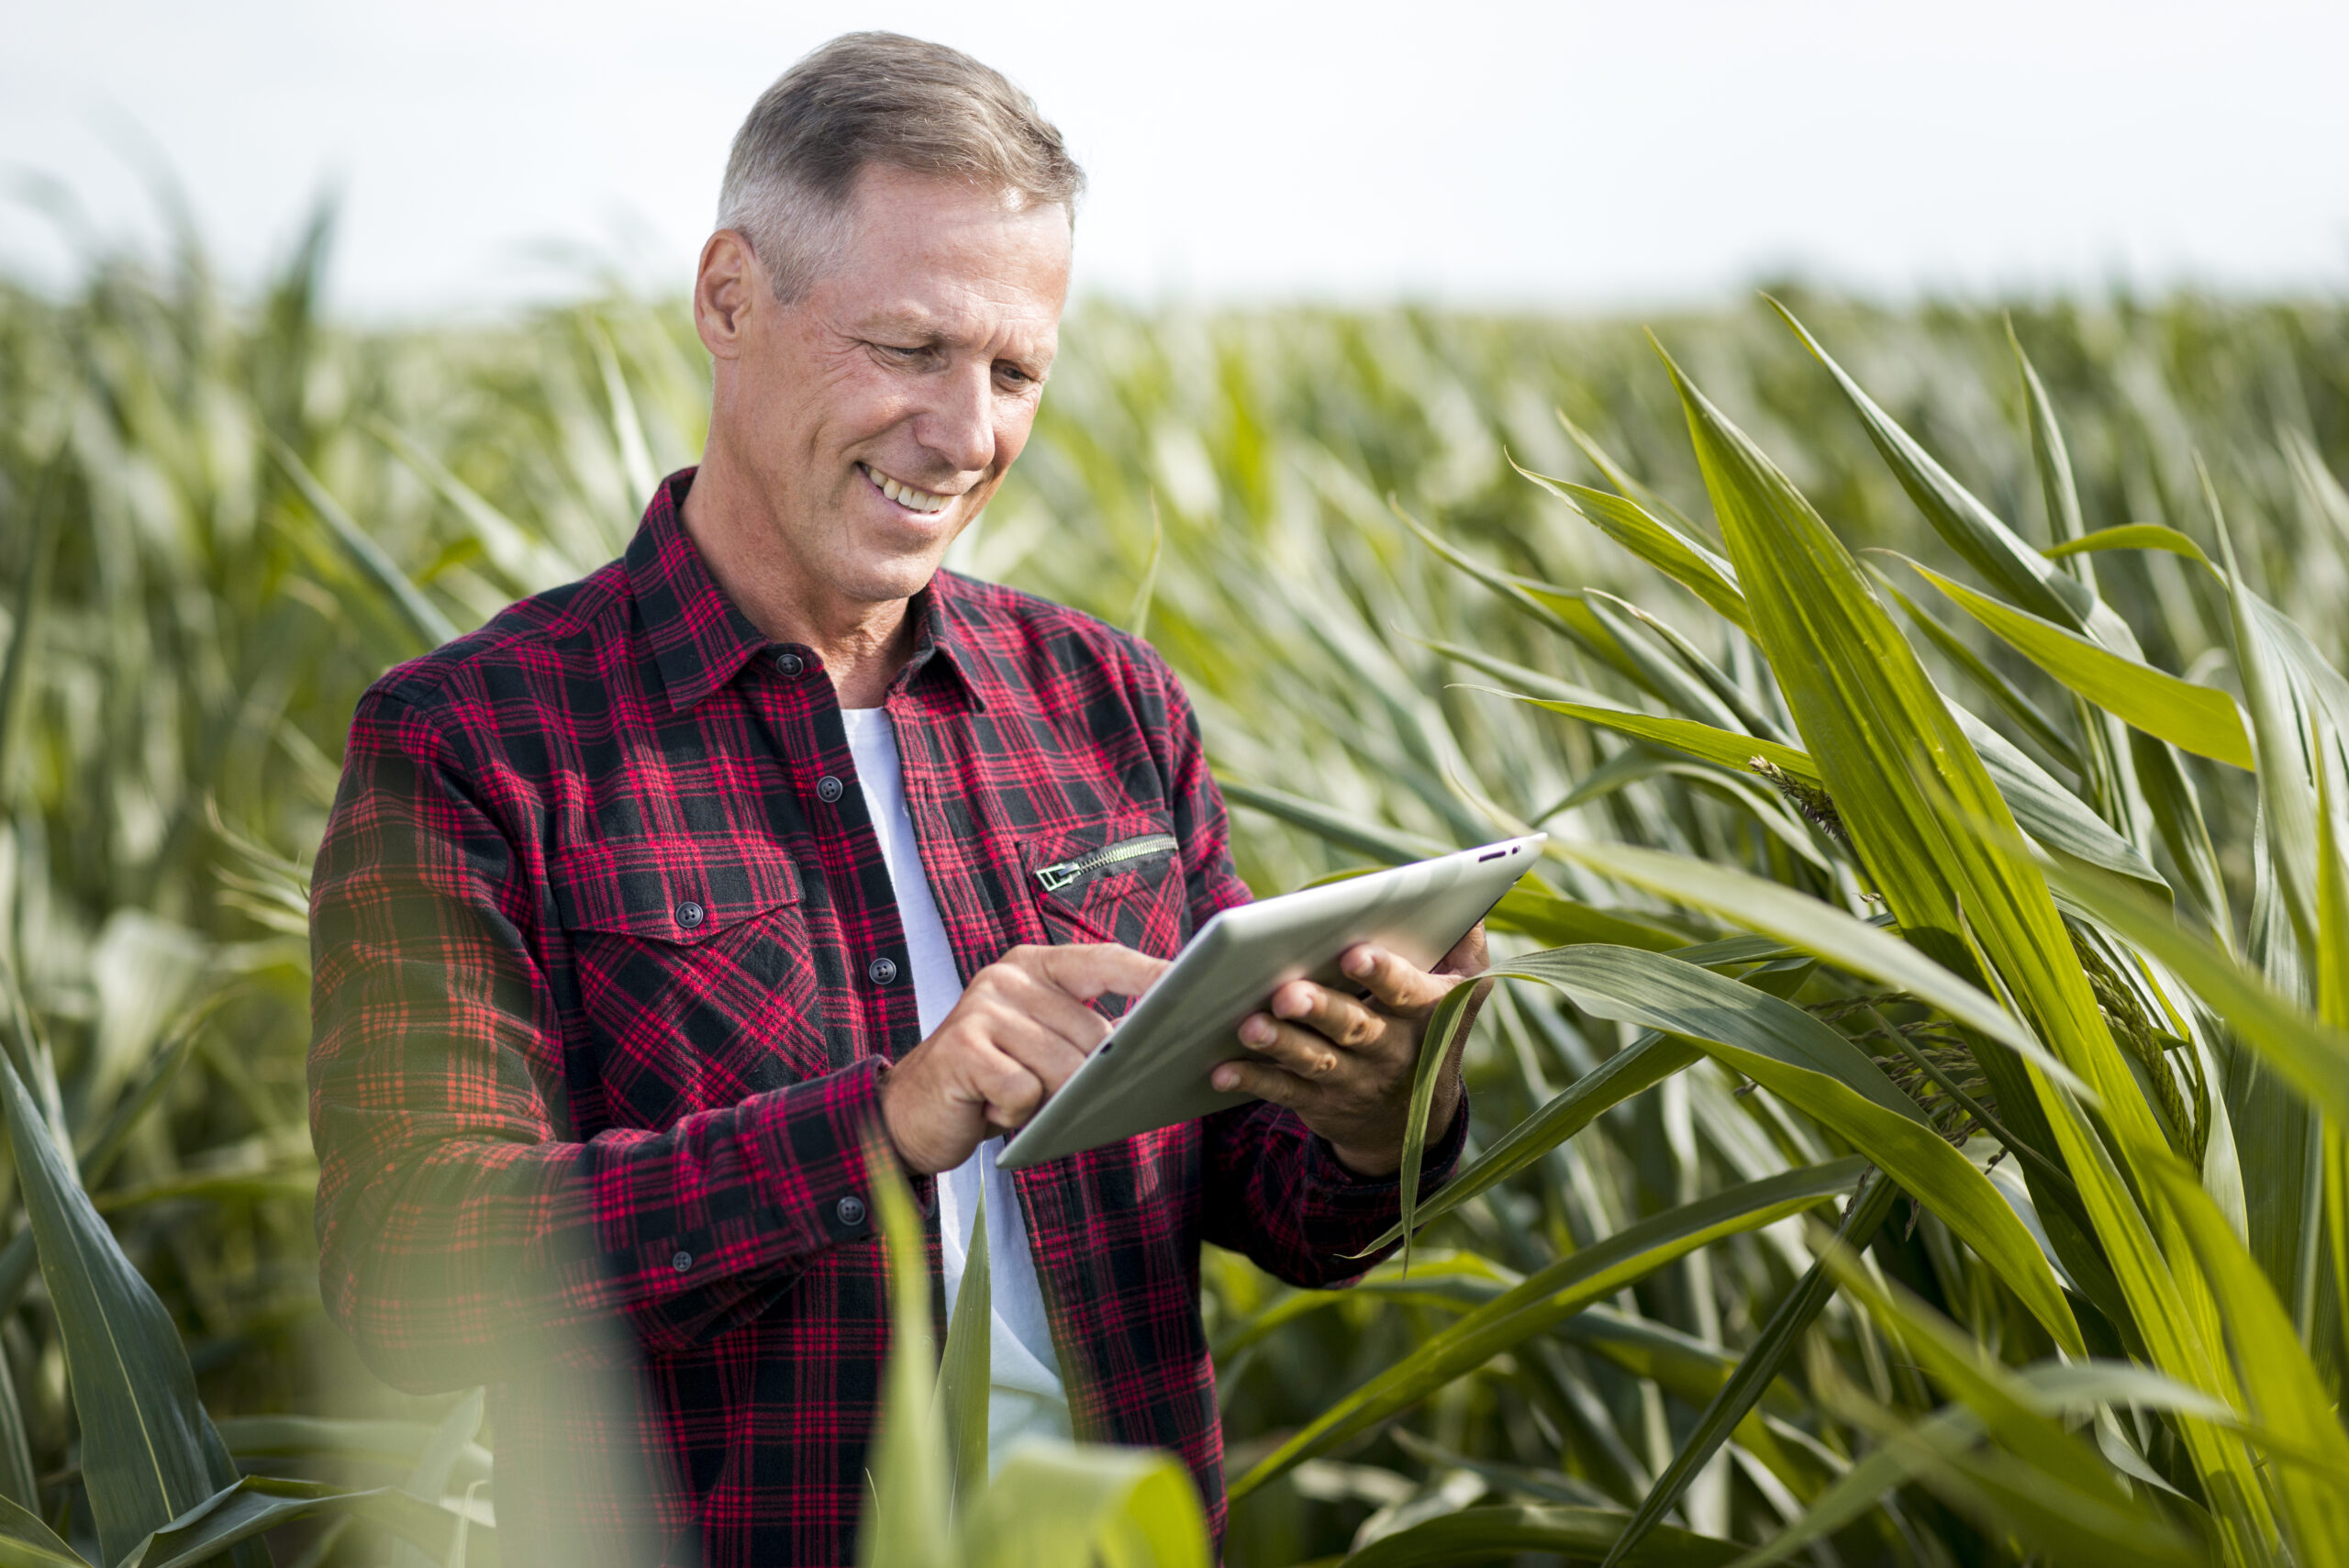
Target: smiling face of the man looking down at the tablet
[(877, 414)]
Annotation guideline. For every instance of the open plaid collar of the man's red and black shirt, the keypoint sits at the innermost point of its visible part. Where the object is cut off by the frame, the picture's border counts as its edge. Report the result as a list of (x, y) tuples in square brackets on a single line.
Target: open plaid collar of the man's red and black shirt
[(701, 640)]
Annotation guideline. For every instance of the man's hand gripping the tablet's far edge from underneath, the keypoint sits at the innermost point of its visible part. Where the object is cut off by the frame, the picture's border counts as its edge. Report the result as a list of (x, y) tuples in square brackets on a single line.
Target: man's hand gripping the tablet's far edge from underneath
[(1345, 1065)]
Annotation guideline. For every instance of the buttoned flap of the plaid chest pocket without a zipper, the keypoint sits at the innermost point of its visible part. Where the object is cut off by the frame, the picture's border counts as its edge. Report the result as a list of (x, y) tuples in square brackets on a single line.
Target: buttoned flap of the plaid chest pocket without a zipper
[(668, 888)]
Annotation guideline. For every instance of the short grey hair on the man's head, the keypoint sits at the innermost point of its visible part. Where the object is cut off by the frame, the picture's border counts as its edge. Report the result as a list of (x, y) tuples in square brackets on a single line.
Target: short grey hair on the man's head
[(880, 100)]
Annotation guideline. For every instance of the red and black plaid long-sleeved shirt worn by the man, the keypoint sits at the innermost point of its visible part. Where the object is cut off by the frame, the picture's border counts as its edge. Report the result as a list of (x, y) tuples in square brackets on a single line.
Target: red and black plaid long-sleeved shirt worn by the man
[(607, 973)]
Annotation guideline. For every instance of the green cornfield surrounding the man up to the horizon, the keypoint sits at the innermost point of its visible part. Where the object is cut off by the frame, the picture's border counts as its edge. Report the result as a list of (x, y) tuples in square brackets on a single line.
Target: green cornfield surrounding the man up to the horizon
[(1911, 1128)]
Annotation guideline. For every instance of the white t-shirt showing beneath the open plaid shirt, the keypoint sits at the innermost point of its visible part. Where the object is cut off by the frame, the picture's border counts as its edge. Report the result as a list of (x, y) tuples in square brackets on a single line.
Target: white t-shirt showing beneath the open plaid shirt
[(1028, 1395)]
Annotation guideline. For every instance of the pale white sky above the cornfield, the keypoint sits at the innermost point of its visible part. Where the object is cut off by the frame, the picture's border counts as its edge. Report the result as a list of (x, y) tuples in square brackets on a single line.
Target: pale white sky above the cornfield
[(1469, 151)]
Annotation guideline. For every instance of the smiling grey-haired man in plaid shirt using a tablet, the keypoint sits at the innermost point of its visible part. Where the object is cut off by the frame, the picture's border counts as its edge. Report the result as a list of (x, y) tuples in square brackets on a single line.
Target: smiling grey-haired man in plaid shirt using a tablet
[(645, 905)]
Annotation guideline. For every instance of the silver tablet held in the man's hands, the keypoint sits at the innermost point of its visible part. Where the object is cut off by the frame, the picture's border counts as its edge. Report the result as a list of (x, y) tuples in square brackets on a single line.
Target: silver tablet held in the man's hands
[(1152, 1069)]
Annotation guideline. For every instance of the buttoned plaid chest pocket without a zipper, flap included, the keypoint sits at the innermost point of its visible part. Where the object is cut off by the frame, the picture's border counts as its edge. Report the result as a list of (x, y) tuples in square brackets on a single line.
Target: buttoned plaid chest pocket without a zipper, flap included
[(696, 982)]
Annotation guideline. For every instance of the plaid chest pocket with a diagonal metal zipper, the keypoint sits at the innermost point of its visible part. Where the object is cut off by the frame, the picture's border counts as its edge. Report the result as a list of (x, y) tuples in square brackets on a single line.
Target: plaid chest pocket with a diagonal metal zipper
[(1112, 881)]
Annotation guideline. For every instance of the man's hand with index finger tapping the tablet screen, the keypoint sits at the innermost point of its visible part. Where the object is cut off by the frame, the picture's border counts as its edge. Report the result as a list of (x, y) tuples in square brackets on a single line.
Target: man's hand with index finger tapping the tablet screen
[(1011, 1041)]
